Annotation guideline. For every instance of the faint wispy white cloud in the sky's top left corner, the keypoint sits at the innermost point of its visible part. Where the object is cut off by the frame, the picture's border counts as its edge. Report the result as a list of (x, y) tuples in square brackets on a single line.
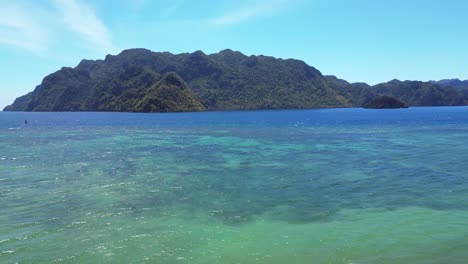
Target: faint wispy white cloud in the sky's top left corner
[(20, 28)]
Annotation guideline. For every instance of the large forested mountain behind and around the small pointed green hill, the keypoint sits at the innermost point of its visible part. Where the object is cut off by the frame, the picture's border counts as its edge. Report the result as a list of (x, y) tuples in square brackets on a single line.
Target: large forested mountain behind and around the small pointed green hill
[(223, 81)]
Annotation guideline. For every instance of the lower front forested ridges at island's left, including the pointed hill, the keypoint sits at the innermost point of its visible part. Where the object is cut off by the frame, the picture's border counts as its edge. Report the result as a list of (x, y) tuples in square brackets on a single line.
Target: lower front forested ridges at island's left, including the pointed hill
[(137, 89)]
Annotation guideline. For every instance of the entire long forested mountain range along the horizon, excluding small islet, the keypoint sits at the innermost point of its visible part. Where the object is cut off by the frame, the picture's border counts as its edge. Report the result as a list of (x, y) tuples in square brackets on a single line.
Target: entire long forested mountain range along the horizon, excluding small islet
[(139, 80)]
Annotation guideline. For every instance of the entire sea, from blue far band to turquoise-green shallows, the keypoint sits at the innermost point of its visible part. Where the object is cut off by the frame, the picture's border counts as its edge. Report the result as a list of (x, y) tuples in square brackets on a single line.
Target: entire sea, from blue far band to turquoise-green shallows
[(316, 186)]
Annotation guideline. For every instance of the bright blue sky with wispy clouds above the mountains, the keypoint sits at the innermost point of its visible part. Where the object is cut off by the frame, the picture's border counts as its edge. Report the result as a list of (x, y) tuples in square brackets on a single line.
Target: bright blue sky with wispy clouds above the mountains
[(357, 40)]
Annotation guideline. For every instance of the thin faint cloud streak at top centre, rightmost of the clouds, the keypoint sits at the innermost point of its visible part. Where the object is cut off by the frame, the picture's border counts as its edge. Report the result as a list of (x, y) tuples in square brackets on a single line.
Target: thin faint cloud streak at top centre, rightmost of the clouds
[(251, 11)]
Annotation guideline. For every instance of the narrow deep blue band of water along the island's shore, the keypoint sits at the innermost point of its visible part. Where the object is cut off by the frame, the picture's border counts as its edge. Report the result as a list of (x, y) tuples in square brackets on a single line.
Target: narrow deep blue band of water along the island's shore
[(316, 117)]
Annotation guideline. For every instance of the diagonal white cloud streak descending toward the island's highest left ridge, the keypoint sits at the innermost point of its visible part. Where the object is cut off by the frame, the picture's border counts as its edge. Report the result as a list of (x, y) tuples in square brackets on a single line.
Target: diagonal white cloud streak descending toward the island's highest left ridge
[(81, 18)]
